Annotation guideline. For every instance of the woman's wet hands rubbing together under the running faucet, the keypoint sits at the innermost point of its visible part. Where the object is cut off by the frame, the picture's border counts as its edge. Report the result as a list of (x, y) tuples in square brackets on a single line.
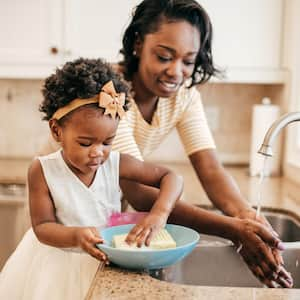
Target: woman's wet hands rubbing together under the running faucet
[(260, 248)]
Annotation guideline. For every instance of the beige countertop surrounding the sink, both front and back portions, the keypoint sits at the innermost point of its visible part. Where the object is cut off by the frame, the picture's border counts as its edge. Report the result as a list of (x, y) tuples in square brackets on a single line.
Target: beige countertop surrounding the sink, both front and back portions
[(115, 283)]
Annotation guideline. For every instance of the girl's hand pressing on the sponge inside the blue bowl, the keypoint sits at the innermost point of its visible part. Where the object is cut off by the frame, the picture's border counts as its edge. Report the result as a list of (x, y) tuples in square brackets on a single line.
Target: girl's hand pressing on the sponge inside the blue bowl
[(143, 232)]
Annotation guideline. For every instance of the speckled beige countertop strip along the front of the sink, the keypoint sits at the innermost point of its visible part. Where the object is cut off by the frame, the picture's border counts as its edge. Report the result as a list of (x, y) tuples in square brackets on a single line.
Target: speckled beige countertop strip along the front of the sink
[(117, 284)]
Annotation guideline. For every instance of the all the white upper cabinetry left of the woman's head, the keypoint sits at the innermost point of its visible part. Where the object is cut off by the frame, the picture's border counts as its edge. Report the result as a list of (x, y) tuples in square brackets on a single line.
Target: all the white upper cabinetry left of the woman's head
[(38, 35)]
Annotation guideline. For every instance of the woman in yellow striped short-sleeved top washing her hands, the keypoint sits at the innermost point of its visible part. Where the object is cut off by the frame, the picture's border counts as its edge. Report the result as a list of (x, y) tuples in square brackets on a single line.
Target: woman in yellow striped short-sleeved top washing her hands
[(167, 51)]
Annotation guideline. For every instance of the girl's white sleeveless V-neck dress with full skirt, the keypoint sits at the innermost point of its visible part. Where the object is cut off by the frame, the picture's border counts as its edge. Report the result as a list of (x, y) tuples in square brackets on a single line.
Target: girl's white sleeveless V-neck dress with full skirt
[(37, 271)]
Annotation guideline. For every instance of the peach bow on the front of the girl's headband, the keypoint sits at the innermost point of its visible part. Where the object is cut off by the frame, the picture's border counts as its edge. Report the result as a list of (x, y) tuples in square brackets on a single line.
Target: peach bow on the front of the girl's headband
[(112, 101)]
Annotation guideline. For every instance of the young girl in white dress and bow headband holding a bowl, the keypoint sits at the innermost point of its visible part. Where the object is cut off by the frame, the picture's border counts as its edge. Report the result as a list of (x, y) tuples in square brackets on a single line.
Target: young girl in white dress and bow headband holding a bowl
[(74, 191)]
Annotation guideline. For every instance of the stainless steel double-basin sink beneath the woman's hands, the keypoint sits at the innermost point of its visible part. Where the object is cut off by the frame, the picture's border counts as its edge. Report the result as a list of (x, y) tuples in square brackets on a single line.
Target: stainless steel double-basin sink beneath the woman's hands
[(215, 262)]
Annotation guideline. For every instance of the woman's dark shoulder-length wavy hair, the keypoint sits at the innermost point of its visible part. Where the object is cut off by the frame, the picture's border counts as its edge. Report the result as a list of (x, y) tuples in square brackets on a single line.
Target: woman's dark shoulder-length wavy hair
[(147, 18)]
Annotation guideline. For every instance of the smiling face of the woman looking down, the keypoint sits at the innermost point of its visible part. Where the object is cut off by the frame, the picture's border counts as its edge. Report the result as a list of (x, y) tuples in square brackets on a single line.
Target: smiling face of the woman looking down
[(167, 58)]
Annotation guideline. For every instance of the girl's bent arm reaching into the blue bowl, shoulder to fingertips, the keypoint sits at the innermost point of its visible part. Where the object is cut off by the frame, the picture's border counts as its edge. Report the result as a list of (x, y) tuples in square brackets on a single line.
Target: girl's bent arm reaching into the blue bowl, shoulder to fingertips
[(170, 188)]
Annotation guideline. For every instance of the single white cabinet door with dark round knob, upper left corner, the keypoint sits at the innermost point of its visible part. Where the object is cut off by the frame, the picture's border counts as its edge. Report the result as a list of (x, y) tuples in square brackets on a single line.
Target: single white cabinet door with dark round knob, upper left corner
[(28, 30)]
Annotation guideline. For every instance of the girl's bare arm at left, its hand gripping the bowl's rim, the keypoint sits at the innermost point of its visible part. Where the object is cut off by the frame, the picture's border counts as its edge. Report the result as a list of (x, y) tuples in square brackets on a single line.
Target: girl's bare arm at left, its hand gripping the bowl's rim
[(44, 222)]
